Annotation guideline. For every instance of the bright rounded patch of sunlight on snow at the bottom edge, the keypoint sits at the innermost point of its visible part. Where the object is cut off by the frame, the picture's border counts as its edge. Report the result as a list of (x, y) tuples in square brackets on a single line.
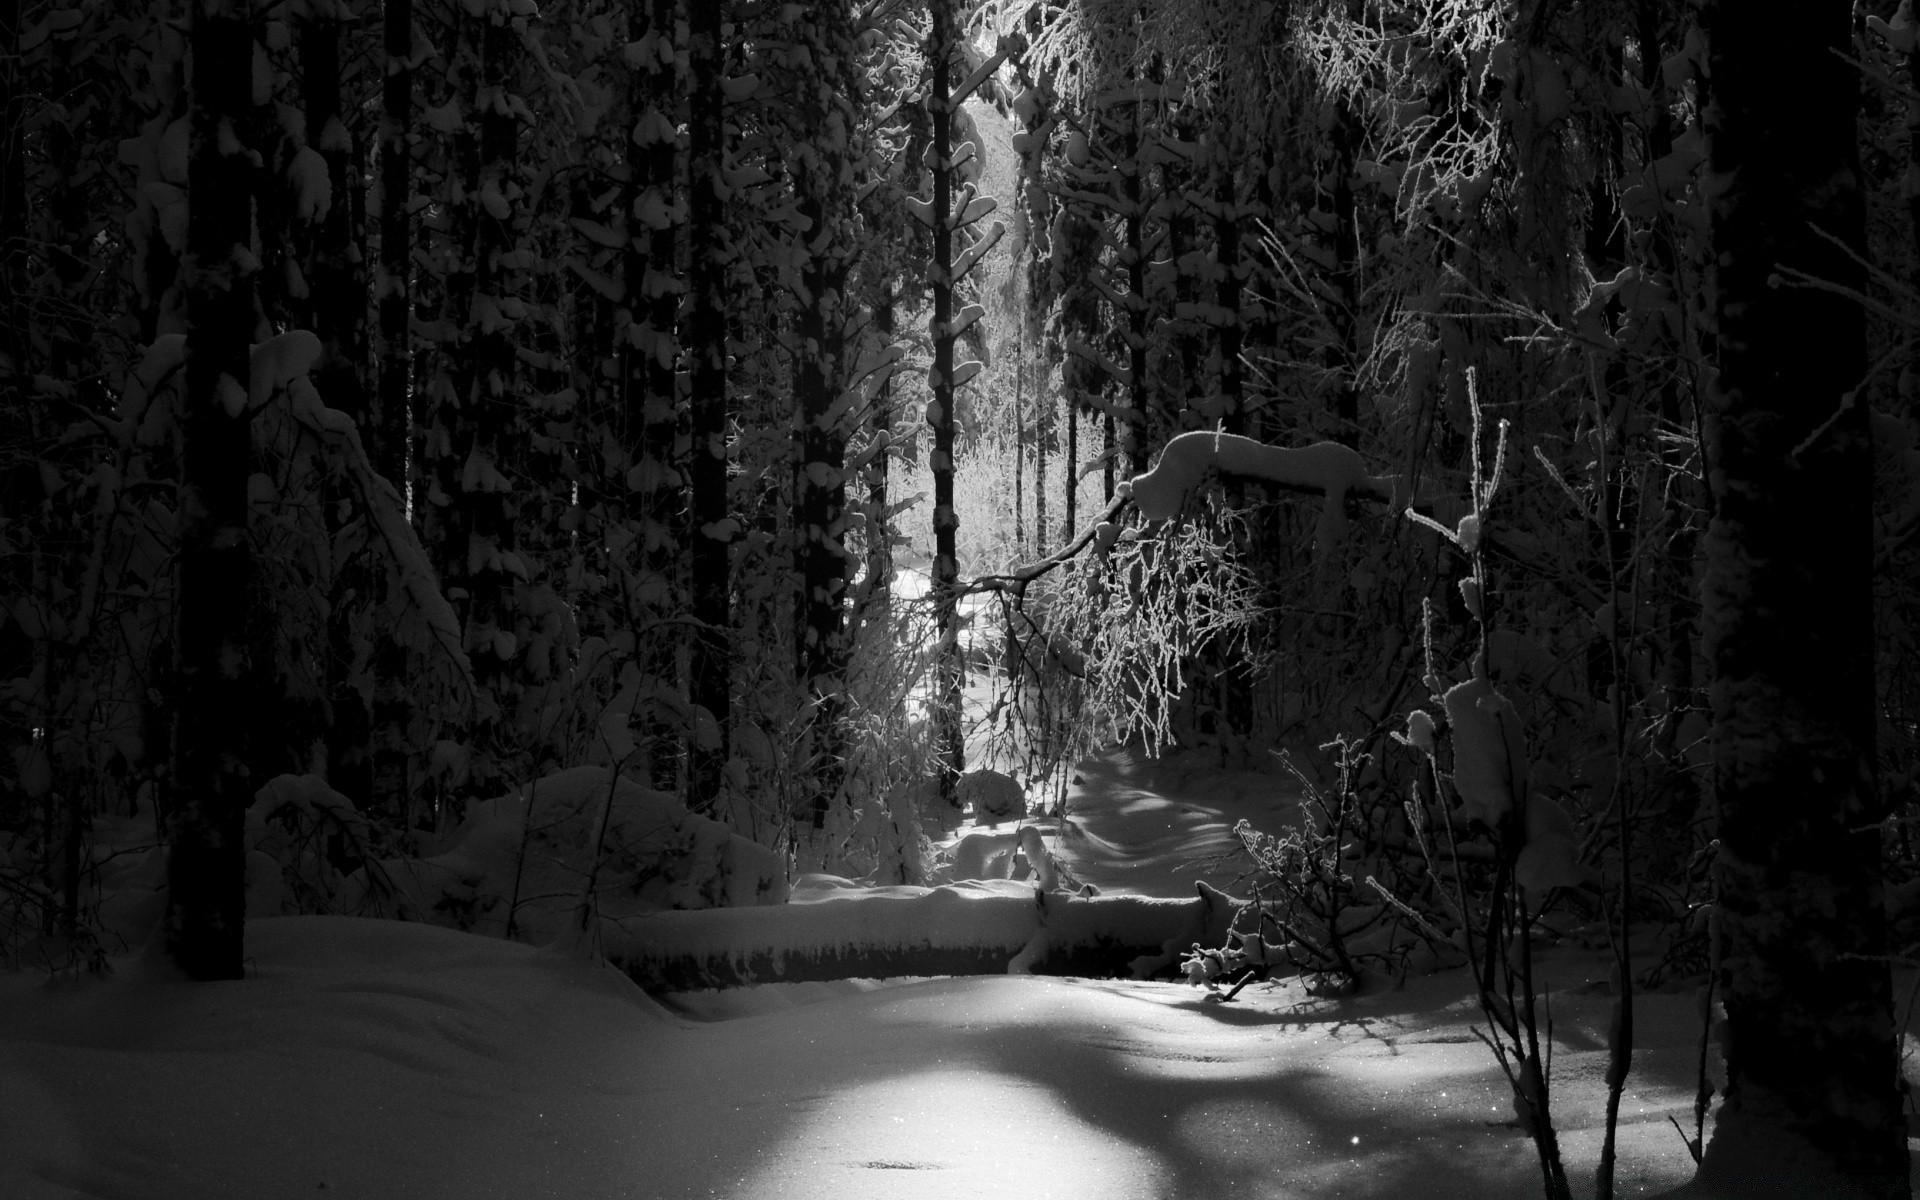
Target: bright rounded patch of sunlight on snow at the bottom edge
[(951, 1134)]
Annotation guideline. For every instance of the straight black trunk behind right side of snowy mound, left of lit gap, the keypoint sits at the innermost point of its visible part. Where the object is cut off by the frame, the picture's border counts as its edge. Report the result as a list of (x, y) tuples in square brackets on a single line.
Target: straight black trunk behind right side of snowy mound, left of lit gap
[(709, 673)]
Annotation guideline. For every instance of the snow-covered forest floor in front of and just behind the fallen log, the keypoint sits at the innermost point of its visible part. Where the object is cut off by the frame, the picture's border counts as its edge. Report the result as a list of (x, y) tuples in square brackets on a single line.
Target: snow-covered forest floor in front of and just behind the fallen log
[(400, 1061)]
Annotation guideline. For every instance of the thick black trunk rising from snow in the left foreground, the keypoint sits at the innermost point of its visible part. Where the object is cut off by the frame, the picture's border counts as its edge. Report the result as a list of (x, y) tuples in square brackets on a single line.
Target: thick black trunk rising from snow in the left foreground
[(210, 784)]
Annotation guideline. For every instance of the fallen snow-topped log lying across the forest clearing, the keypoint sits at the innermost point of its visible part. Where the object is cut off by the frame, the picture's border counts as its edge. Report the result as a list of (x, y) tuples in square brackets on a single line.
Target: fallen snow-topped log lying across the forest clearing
[(980, 928)]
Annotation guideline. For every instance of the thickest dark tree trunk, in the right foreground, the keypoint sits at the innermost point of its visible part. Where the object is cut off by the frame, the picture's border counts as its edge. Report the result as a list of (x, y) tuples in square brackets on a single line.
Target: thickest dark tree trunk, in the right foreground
[(1812, 1099)]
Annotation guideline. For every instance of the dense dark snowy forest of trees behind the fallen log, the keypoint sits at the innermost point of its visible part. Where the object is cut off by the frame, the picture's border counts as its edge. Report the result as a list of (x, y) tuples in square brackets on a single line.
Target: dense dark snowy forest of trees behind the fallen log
[(612, 362)]
